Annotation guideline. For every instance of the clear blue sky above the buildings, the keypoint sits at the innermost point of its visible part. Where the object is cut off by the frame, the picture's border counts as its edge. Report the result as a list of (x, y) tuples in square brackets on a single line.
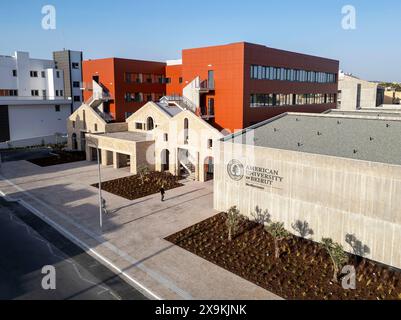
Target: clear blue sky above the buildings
[(159, 29)]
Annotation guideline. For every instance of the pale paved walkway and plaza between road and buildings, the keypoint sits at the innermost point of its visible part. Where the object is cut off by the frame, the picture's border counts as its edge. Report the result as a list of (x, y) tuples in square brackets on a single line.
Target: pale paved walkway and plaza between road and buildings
[(132, 239)]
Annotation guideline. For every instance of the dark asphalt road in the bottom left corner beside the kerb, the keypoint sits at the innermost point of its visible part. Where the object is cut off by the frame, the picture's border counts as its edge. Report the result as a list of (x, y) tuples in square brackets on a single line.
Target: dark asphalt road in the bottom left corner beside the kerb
[(27, 244)]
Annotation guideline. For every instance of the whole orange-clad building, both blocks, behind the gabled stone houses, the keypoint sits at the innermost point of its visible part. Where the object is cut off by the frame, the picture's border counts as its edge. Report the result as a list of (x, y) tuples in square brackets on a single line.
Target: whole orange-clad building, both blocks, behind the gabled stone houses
[(238, 85)]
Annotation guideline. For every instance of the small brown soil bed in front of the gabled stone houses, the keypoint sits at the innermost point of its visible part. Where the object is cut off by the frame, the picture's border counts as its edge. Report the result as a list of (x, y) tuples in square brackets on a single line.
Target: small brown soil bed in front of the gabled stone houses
[(133, 187)]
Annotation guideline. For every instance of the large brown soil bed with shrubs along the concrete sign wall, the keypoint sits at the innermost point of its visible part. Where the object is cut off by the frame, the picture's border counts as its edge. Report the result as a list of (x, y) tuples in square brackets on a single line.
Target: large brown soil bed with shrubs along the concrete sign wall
[(303, 271)]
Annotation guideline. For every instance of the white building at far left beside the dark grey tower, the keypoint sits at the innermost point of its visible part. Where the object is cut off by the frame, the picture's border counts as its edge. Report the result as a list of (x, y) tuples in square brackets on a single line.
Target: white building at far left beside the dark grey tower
[(33, 101)]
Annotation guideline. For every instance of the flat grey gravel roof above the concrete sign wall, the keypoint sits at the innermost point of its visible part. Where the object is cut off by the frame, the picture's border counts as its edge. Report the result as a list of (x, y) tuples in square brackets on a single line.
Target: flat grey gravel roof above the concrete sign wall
[(366, 138)]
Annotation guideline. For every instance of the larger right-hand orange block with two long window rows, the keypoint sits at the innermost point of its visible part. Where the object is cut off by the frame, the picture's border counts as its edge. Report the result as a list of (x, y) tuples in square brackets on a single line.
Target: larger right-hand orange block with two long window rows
[(252, 83)]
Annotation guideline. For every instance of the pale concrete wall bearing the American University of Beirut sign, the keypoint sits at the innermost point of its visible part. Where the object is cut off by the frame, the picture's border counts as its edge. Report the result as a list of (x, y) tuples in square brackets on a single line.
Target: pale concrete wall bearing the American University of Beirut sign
[(336, 196)]
